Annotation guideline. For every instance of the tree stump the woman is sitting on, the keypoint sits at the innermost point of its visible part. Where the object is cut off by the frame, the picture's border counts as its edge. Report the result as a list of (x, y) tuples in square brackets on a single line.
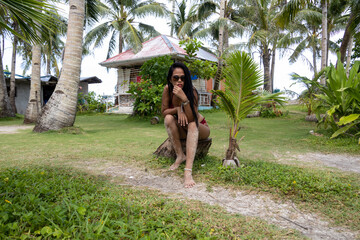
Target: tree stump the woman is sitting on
[(166, 149)]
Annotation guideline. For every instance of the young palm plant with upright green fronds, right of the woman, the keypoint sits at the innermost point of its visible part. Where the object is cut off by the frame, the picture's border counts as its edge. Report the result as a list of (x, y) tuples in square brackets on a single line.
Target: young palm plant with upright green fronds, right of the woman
[(242, 79)]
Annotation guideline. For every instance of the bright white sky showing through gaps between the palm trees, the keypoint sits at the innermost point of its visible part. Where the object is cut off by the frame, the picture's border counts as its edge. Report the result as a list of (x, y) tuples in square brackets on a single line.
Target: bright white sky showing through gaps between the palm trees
[(90, 64)]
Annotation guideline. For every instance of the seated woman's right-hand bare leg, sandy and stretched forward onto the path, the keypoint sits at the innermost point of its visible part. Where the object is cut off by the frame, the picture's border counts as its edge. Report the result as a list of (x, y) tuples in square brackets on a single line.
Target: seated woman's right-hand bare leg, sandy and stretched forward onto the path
[(191, 146)]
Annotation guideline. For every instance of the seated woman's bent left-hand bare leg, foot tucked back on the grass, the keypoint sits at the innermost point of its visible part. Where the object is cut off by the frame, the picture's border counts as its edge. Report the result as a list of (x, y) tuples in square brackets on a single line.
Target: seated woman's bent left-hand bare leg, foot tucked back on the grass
[(174, 135)]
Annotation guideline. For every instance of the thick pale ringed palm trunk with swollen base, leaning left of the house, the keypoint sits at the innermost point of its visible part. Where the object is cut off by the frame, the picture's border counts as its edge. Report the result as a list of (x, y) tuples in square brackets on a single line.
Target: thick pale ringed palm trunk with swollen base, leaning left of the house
[(60, 111)]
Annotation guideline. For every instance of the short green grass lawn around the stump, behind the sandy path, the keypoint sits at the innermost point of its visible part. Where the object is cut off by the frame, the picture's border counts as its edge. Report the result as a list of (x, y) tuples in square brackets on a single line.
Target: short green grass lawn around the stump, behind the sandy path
[(118, 138)]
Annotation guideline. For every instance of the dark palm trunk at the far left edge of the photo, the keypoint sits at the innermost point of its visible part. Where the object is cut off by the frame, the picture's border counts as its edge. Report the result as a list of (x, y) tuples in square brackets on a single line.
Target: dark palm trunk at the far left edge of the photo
[(5, 107)]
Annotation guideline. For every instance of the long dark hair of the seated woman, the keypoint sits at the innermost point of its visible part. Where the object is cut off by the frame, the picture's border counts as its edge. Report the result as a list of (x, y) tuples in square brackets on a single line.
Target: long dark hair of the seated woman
[(188, 87)]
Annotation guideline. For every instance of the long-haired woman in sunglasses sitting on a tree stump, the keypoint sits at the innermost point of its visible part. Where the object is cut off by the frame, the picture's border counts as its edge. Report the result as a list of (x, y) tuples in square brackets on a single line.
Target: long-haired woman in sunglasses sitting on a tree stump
[(182, 120)]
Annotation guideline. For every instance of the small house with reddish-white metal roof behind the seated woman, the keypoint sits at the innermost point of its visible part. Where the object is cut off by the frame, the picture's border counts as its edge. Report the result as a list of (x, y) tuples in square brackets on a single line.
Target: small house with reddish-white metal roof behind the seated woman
[(128, 66)]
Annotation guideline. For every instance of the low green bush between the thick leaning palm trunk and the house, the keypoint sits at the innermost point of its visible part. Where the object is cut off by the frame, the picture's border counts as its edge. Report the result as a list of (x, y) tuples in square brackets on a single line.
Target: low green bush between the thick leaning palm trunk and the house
[(90, 103)]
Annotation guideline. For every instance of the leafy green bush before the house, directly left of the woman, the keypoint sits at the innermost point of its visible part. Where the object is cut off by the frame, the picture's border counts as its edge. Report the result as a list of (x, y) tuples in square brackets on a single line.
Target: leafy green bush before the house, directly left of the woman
[(147, 97)]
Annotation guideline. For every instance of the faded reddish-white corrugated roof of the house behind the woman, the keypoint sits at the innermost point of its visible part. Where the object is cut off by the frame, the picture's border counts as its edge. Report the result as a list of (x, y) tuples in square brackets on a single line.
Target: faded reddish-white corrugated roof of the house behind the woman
[(155, 47)]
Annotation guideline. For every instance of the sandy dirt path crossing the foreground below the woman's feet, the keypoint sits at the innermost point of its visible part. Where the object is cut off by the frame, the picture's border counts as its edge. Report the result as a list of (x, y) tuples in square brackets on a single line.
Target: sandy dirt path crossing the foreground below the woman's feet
[(283, 214)]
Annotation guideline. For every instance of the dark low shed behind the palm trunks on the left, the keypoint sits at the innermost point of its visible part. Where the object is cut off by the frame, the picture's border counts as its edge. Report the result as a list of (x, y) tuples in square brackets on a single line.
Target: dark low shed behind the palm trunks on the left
[(48, 84)]
